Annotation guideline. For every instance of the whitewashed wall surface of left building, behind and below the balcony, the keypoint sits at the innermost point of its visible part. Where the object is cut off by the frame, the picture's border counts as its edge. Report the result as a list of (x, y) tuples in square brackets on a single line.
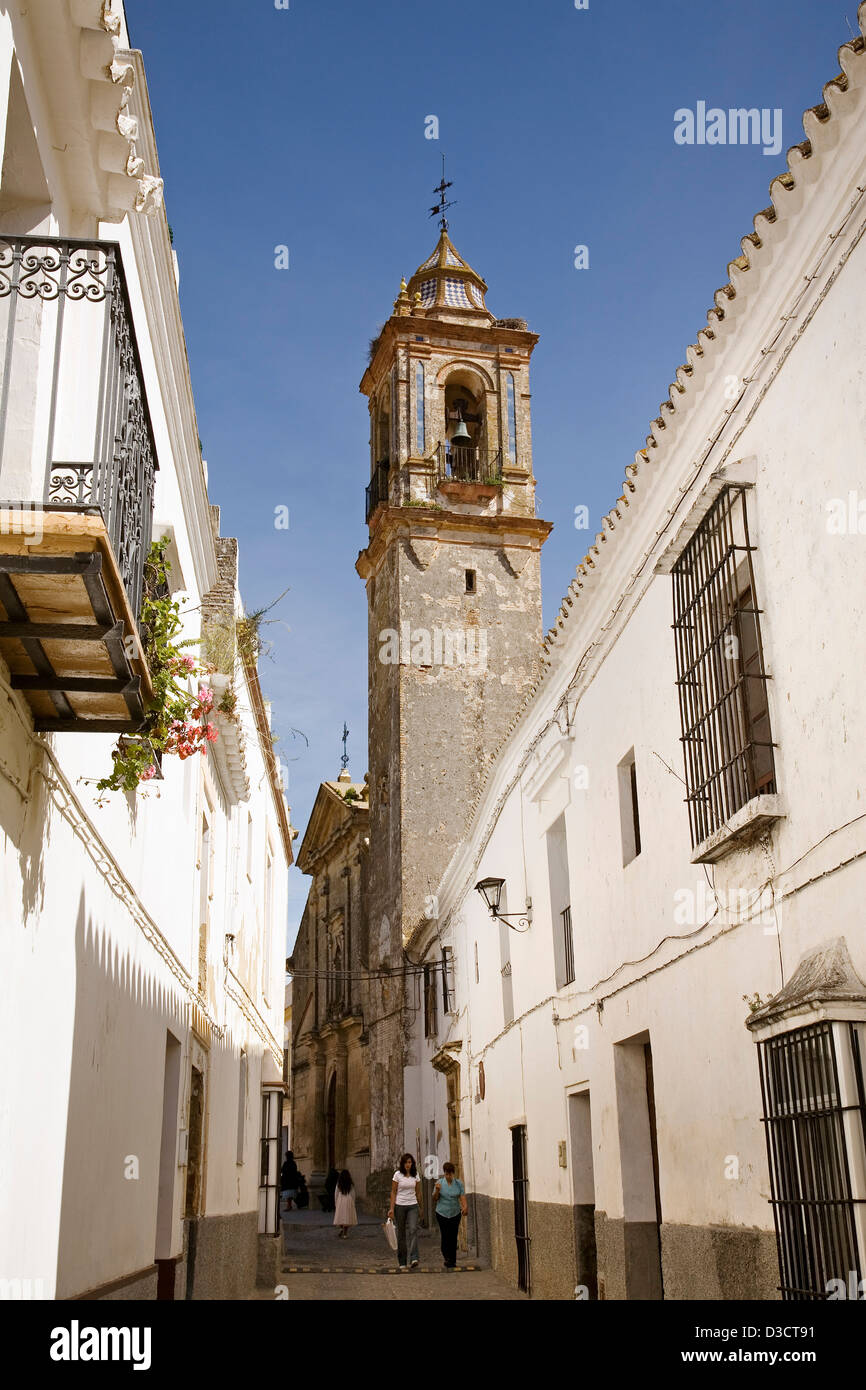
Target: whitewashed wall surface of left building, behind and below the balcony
[(101, 904)]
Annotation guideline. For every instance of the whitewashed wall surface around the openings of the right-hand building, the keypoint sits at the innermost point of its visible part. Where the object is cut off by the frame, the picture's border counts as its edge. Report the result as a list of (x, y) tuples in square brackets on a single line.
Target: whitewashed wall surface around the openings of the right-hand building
[(803, 422)]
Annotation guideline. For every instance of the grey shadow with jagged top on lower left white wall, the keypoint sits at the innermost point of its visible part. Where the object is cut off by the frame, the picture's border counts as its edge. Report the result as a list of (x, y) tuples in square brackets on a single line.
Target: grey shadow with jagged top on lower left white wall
[(115, 1129)]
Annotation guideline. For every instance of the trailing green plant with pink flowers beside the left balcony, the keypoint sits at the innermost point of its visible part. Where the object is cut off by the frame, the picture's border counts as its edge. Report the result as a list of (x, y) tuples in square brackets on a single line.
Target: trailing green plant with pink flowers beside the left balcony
[(179, 721)]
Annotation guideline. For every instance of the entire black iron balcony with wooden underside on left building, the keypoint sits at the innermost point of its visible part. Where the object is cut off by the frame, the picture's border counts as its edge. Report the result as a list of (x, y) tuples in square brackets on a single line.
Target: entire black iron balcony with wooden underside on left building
[(77, 479)]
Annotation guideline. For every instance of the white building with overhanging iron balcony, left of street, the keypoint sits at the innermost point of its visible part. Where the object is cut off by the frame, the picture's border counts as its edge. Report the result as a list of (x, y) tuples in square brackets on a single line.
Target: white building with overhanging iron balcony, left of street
[(142, 943)]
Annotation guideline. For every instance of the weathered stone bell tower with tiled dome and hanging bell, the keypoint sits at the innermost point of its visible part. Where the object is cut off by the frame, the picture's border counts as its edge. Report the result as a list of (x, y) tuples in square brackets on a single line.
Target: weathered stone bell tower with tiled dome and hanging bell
[(454, 587)]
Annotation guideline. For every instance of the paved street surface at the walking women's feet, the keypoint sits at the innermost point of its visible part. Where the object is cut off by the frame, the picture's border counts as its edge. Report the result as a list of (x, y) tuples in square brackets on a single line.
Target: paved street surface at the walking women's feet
[(319, 1266)]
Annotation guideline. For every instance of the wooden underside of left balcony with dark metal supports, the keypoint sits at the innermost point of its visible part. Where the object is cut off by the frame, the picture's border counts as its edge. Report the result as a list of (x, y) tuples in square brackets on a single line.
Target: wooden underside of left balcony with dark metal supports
[(66, 625)]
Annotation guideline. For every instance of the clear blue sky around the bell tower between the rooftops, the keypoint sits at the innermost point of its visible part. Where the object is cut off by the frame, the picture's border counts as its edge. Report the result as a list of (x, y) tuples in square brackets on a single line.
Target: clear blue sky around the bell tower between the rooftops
[(305, 127)]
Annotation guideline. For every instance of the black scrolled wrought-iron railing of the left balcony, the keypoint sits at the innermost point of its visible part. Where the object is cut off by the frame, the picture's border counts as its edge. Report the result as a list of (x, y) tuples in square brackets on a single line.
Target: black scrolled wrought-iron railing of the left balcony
[(76, 432)]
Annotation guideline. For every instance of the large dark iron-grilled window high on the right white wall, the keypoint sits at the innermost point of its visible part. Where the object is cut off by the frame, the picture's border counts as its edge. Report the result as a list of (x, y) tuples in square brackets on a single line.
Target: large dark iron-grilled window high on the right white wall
[(721, 671)]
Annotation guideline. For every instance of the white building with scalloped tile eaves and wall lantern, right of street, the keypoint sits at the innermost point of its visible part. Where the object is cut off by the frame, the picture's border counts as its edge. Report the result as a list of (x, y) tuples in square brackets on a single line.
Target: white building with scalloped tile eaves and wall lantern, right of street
[(596, 1077)]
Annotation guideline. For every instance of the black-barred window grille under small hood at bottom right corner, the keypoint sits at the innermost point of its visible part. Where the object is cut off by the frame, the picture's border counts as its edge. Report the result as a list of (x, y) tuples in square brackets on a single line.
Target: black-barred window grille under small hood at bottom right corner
[(812, 1121)]
